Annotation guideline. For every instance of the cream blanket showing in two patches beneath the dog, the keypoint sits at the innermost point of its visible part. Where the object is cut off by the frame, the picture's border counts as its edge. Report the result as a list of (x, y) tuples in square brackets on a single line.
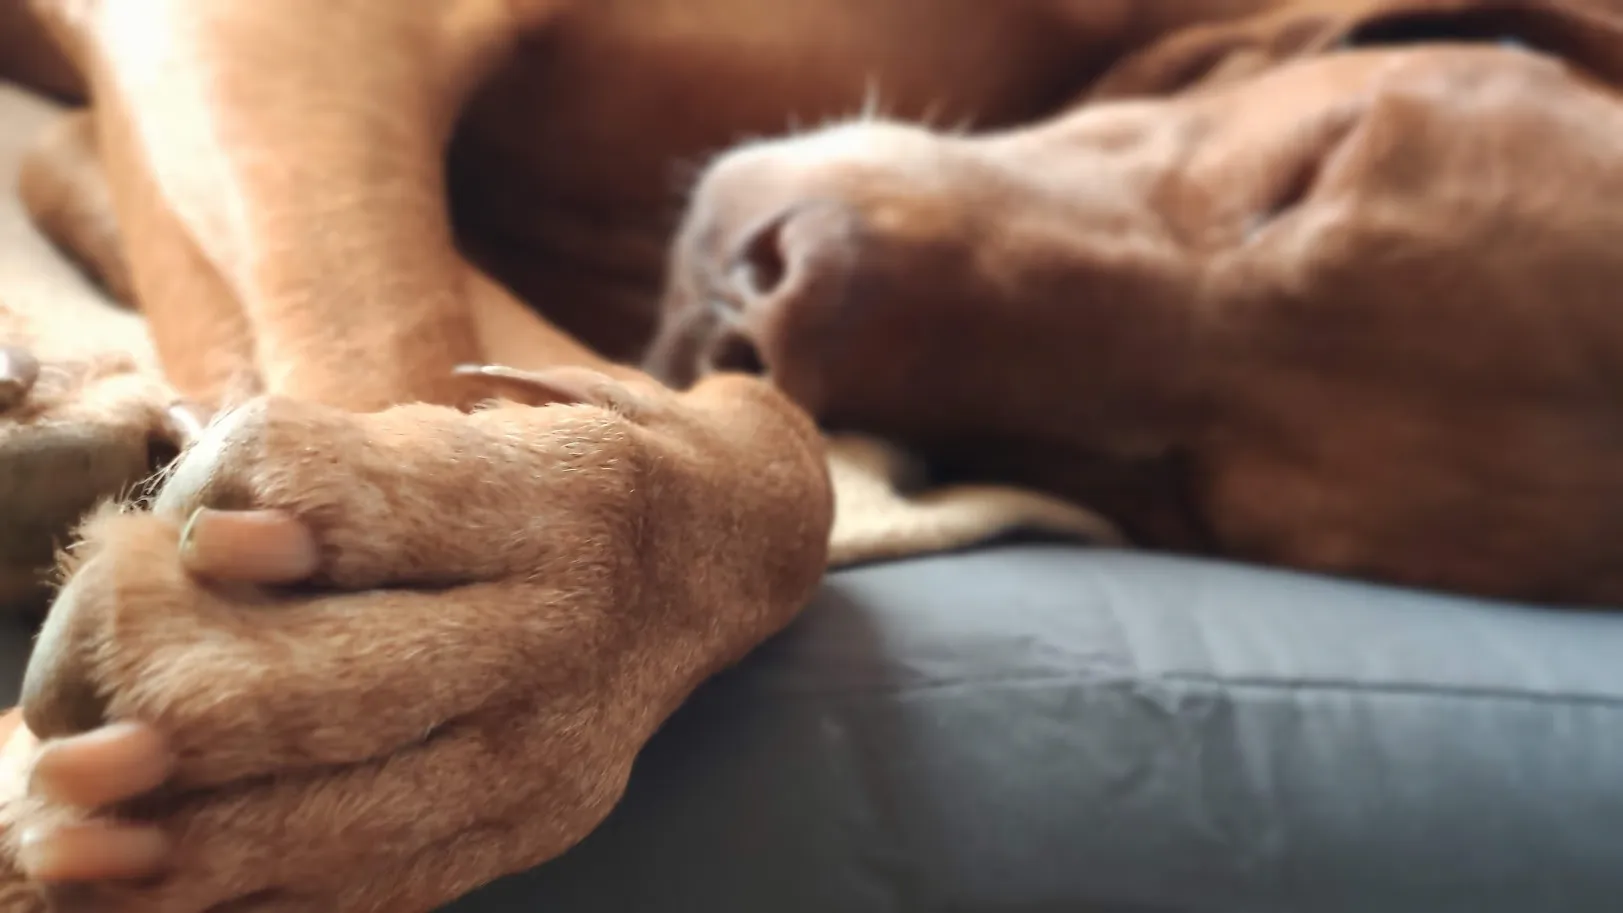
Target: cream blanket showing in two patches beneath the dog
[(882, 510)]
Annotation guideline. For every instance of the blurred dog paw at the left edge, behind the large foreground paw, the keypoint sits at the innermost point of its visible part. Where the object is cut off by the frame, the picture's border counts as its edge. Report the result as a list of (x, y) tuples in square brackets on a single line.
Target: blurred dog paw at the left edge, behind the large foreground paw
[(72, 434)]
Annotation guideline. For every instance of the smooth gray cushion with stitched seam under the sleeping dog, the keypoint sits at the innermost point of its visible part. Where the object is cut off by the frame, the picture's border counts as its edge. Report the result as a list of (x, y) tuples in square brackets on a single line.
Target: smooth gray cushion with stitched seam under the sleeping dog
[(1040, 727)]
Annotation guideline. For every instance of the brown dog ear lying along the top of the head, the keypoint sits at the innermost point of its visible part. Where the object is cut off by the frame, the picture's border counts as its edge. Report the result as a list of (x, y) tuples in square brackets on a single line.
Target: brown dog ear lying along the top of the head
[(1590, 35)]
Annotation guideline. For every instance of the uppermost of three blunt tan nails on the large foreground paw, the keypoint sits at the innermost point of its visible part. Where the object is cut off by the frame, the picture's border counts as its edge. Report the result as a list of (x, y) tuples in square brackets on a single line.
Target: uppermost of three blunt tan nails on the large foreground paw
[(251, 547)]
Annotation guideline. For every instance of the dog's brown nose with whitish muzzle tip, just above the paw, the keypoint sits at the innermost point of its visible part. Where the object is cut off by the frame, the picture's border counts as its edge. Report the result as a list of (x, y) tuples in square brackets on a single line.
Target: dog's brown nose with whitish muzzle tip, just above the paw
[(777, 242)]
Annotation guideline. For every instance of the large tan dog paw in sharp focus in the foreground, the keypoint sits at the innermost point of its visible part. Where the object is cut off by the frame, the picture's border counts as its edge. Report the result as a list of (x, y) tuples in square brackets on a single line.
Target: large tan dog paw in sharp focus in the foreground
[(371, 662)]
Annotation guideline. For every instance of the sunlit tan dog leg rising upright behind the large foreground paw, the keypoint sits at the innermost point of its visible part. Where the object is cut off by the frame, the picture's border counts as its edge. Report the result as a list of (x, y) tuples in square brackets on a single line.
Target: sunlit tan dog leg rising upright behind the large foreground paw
[(298, 147)]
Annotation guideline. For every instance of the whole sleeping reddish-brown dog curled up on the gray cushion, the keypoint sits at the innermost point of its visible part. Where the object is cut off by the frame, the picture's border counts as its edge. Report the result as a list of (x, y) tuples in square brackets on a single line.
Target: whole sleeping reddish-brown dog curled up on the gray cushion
[(1304, 307)]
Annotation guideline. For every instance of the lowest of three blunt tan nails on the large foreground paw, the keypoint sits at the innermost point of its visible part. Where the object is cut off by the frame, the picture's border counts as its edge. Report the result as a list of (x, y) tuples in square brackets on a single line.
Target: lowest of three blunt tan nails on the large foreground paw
[(92, 852)]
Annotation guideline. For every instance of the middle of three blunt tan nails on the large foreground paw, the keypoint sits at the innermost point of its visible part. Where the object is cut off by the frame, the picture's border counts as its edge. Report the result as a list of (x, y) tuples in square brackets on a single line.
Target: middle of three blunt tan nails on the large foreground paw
[(101, 768)]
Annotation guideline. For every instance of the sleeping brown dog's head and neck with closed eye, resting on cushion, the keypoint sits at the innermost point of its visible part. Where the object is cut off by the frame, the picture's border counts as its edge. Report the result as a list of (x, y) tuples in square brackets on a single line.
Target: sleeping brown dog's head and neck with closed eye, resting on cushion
[(1346, 312)]
